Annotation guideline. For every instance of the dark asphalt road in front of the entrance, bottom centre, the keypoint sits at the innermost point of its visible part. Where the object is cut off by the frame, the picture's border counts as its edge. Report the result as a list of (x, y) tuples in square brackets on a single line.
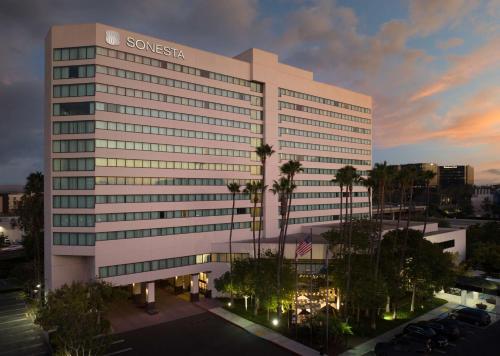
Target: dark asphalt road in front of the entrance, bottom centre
[(202, 334)]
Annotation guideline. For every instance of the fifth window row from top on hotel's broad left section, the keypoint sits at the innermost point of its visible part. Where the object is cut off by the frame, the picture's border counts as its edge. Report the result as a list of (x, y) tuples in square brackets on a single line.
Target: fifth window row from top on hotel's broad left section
[(164, 131)]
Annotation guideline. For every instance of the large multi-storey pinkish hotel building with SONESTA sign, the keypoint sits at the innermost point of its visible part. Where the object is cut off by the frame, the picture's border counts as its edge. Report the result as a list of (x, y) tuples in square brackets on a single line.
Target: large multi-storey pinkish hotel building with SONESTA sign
[(142, 135)]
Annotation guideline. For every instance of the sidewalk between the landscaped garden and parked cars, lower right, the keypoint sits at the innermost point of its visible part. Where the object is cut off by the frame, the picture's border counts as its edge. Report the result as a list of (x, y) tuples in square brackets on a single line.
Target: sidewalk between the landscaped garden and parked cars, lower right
[(368, 346)]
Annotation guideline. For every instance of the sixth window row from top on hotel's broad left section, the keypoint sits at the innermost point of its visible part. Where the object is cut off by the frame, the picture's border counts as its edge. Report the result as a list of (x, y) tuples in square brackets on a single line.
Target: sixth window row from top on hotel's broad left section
[(159, 147)]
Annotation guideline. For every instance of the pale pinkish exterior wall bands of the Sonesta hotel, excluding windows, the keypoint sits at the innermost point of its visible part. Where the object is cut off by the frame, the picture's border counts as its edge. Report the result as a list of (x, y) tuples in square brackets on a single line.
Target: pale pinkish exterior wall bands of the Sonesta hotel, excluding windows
[(65, 263)]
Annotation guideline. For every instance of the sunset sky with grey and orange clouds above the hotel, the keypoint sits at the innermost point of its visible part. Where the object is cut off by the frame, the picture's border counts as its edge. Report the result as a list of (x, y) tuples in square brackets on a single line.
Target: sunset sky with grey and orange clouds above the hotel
[(432, 67)]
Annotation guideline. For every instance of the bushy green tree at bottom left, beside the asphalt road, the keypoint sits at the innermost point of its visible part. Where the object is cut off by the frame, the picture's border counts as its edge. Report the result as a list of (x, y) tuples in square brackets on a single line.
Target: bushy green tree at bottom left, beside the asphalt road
[(77, 314)]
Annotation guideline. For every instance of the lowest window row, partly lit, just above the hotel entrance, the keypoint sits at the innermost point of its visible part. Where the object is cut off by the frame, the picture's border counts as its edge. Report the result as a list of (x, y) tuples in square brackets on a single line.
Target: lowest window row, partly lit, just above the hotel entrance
[(166, 263)]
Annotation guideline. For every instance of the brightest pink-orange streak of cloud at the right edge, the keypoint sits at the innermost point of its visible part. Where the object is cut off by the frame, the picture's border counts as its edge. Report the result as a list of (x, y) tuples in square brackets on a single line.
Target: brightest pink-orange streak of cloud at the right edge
[(463, 69)]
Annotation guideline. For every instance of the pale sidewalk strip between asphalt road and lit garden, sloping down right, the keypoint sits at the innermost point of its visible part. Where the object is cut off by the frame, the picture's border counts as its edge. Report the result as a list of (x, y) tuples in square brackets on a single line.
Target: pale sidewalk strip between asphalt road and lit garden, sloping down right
[(263, 332)]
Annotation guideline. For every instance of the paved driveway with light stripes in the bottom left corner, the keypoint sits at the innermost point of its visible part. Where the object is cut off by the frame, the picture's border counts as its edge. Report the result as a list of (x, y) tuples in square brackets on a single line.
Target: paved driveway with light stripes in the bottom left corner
[(18, 334)]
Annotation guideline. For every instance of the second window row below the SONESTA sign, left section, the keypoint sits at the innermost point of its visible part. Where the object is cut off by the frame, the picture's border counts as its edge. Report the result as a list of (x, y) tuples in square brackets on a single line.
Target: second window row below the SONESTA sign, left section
[(150, 78)]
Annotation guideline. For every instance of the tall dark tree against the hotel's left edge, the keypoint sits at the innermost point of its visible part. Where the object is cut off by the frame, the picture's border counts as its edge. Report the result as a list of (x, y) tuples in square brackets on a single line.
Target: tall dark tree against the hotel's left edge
[(30, 212)]
